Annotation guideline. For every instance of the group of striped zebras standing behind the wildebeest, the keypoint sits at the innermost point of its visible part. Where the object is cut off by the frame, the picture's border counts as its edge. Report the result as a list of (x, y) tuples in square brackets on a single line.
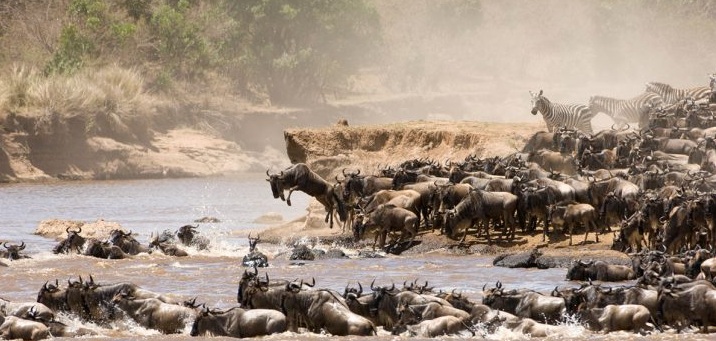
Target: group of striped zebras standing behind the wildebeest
[(657, 97)]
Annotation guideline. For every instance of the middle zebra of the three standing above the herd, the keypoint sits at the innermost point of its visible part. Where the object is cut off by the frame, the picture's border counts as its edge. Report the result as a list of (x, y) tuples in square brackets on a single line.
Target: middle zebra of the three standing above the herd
[(625, 111)]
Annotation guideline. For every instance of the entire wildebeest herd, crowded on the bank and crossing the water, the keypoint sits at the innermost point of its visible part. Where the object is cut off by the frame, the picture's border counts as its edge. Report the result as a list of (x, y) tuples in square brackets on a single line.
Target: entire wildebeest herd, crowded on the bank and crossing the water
[(651, 187)]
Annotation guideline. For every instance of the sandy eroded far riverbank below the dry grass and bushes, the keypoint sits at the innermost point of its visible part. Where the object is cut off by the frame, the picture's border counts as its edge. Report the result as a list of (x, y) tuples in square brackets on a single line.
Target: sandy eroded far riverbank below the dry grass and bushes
[(190, 139)]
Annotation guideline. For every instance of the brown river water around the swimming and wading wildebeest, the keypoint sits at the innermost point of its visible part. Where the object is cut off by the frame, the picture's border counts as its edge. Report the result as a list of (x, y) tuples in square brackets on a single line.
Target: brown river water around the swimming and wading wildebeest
[(151, 206)]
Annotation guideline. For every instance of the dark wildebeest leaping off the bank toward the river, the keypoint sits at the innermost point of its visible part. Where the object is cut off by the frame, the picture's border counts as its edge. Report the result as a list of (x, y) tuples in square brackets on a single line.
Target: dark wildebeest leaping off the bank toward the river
[(299, 177)]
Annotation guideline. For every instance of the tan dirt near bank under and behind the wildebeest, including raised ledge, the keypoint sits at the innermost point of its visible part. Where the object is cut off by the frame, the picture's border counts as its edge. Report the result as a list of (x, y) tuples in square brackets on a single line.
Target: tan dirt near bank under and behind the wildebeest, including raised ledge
[(330, 150)]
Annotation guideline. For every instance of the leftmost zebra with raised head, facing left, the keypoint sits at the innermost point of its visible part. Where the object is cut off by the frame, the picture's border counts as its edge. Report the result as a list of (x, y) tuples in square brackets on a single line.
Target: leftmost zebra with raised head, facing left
[(569, 116)]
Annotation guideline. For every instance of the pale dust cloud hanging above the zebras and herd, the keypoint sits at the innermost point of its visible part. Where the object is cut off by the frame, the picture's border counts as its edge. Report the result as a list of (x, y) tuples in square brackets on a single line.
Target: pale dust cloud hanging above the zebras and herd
[(494, 52)]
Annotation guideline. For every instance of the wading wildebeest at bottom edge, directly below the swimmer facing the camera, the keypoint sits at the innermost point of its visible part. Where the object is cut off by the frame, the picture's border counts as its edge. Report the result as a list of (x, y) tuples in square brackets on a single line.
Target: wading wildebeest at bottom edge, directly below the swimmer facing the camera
[(237, 322)]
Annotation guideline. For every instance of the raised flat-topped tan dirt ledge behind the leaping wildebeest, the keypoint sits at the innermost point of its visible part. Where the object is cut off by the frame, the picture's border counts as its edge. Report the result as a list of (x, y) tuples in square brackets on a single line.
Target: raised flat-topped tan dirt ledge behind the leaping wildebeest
[(328, 150)]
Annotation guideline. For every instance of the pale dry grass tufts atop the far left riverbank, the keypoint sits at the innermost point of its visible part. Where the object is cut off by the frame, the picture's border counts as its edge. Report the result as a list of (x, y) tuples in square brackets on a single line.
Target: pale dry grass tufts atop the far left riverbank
[(107, 100)]
